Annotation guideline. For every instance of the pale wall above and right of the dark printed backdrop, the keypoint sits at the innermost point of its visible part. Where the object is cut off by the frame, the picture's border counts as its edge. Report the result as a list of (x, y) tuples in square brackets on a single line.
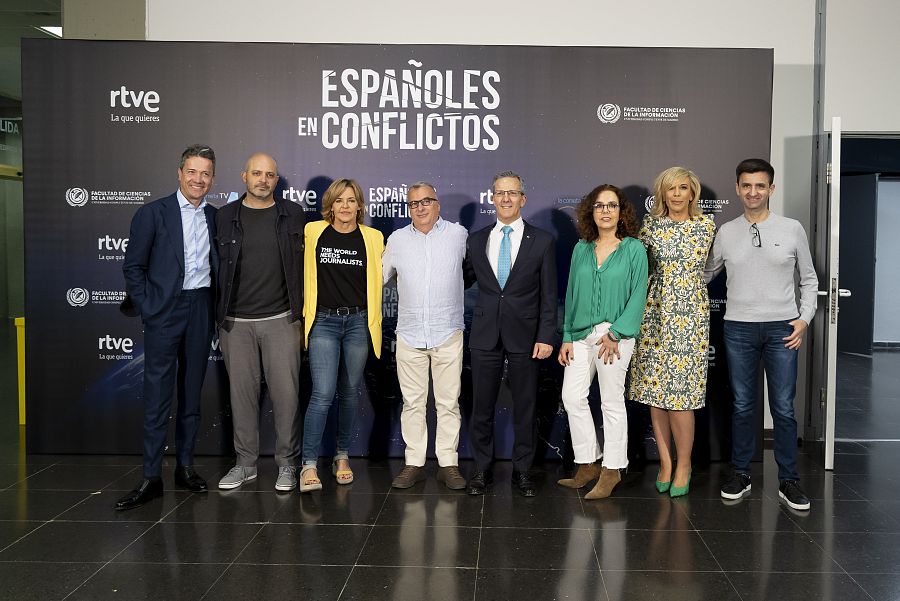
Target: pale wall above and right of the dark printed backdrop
[(788, 27)]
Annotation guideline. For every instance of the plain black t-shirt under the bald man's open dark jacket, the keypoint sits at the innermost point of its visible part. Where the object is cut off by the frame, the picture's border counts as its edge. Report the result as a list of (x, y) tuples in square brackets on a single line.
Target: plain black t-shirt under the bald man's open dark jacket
[(259, 289)]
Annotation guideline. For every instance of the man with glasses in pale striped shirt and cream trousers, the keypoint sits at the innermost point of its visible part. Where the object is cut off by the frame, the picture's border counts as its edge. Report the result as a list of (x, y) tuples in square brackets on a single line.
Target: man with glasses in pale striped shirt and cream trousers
[(427, 258)]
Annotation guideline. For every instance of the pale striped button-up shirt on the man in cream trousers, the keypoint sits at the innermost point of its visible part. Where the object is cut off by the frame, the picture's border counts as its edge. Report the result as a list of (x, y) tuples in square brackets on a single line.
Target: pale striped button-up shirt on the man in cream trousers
[(430, 284)]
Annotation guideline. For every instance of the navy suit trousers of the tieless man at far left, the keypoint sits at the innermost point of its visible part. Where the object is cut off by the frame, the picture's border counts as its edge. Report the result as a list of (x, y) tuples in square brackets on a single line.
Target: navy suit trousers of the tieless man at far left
[(176, 352)]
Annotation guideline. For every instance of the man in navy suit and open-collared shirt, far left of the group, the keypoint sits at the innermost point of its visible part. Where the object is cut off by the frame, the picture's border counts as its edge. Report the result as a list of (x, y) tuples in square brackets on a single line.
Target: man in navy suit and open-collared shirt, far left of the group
[(169, 274)]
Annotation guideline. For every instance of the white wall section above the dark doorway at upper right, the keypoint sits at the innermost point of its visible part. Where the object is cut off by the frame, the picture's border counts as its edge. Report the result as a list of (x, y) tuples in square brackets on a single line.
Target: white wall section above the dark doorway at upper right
[(861, 82)]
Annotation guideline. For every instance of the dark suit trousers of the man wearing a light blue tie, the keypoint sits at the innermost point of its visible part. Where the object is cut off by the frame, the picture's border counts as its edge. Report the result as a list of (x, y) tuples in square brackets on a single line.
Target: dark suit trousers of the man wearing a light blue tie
[(487, 371)]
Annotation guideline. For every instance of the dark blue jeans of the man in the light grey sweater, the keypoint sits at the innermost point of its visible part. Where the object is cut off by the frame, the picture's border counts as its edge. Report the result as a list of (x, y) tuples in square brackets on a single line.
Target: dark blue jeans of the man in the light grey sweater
[(746, 343)]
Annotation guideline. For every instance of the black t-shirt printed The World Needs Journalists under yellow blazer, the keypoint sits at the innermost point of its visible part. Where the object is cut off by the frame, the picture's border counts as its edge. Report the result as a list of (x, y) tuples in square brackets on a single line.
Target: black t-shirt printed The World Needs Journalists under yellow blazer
[(341, 269)]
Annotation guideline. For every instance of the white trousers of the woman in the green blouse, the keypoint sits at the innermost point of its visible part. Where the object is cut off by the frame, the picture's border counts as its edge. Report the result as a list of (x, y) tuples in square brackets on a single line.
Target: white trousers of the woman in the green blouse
[(577, 379)]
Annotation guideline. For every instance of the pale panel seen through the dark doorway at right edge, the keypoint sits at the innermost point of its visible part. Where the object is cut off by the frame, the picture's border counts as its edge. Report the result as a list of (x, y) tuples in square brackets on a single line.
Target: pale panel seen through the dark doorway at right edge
[(887, 267)]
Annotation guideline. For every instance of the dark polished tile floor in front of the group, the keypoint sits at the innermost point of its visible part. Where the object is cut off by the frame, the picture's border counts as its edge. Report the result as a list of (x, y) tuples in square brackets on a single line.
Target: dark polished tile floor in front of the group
[(61, 539)]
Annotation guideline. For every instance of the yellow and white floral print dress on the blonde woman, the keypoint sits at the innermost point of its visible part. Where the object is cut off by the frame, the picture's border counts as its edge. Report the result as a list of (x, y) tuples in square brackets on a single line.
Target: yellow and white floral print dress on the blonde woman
[(670, 358)]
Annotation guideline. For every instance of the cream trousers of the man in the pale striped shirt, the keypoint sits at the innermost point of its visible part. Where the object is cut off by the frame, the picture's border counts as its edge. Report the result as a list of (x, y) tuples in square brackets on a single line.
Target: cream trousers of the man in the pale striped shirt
[(413, 366)]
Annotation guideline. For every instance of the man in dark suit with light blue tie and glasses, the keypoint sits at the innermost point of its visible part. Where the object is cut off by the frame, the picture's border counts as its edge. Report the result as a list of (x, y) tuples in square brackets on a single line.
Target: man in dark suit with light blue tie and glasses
[(514, 319)]
